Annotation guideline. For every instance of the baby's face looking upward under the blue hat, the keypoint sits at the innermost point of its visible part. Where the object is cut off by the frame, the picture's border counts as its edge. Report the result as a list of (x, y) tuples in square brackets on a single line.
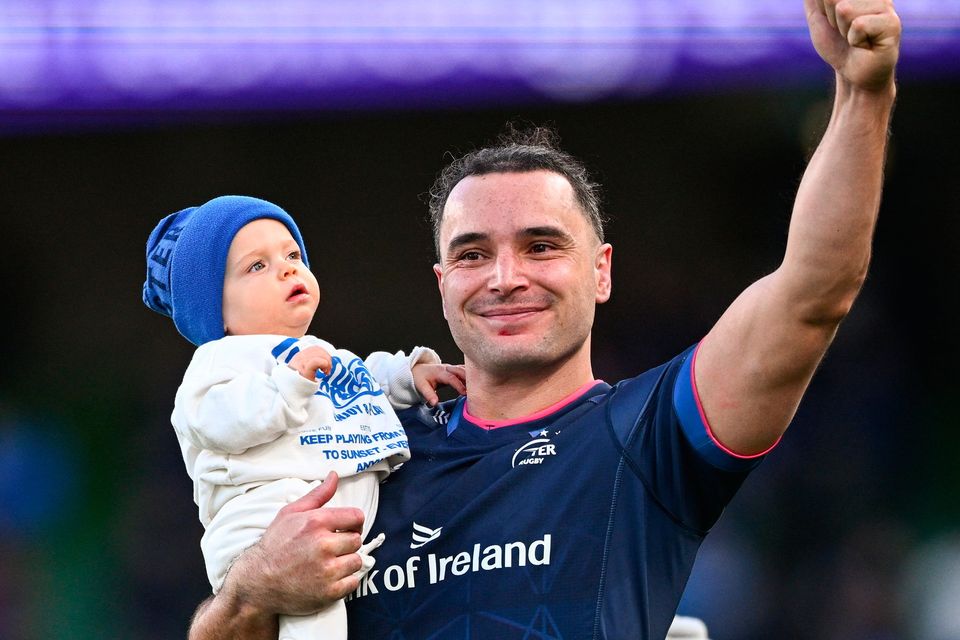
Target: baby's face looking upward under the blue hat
[(266, 287)]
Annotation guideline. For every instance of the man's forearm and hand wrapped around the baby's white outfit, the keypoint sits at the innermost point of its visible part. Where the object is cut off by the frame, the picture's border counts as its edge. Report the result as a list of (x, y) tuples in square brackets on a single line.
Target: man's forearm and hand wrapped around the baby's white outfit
[(305, 560)]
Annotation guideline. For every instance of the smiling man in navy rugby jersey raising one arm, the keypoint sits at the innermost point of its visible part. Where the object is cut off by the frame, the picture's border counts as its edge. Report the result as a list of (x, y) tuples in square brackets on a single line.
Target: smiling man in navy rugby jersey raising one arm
[(548, 504)]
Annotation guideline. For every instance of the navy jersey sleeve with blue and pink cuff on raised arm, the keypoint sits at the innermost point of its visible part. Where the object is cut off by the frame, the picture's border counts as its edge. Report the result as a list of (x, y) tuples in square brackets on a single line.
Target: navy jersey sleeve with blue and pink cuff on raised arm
[(669, 447)]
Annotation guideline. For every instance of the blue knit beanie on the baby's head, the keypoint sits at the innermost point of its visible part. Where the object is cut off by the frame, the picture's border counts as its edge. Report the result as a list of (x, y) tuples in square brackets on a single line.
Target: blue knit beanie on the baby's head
[(187, 258)]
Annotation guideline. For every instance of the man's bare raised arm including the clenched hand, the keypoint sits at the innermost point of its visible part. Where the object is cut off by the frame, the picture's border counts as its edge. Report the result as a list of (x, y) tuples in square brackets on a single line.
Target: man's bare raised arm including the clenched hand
[(753, 367)]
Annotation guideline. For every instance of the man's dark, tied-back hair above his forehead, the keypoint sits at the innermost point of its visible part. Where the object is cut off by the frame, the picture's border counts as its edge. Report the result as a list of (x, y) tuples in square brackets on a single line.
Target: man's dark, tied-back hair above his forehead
[(518, 150)]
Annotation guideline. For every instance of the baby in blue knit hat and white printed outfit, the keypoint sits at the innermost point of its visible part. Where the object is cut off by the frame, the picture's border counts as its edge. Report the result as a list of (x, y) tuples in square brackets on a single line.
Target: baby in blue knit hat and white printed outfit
[(265, 411)]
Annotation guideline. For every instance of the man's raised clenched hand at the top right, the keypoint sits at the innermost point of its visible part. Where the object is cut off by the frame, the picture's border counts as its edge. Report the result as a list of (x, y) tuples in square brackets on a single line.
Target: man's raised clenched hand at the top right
[(860, 39)]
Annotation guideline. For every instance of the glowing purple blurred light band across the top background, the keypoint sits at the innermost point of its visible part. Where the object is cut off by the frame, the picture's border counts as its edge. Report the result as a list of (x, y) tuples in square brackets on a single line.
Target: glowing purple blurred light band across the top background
[(62, 59)]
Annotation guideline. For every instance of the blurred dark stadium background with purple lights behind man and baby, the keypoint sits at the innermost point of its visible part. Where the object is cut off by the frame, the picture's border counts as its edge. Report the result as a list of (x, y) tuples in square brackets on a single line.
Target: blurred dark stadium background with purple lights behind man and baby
[(697, 117)]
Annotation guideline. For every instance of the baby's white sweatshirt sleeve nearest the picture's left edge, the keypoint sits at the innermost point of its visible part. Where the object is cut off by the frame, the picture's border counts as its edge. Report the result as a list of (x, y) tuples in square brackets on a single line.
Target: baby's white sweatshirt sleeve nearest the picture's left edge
[(235, 396)]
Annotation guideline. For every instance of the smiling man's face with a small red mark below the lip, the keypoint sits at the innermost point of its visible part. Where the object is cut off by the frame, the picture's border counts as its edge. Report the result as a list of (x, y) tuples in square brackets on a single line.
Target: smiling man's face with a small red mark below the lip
[(521, 271)]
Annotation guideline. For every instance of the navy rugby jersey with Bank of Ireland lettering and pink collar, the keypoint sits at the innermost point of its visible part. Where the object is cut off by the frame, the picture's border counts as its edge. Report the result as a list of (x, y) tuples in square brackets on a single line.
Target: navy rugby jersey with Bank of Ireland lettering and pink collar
[(582, 523)]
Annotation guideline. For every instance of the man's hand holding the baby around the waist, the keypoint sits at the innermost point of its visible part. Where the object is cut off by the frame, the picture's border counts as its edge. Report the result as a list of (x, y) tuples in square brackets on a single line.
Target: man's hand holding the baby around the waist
[(305, 560)]
